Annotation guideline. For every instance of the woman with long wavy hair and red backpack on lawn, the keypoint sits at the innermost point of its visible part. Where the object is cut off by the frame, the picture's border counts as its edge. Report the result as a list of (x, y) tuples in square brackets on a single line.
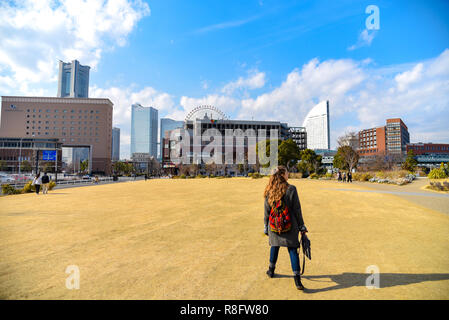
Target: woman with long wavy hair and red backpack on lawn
[(283, 221)]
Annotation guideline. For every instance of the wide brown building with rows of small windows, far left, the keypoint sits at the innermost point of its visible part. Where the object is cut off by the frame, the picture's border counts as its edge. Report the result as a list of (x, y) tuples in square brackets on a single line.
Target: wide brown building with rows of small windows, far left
[(76, 122)]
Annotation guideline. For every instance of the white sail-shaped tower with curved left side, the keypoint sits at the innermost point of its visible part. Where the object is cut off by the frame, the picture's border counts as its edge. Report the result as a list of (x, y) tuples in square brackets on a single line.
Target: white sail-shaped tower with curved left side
[(317, 126)]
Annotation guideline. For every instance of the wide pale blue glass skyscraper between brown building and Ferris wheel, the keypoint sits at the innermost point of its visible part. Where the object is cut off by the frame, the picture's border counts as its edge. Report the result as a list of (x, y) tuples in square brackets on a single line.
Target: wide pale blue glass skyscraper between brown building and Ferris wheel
[(144, 123)]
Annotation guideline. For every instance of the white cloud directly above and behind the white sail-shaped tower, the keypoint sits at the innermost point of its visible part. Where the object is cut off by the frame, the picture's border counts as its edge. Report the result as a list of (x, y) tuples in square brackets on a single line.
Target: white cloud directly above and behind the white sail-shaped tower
[(329, 80)]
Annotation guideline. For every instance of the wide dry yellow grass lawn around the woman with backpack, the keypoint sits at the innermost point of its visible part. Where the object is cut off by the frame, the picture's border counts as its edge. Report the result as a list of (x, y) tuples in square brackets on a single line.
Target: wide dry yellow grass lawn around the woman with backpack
[(202, 239)]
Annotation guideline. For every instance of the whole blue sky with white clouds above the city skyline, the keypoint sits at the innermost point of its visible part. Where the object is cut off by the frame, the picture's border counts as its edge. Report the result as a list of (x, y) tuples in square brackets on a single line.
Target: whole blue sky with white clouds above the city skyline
[(261, 59)]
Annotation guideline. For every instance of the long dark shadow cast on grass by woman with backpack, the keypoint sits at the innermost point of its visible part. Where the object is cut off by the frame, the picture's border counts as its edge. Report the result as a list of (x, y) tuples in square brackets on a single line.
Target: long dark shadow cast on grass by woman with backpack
[(386, 280)]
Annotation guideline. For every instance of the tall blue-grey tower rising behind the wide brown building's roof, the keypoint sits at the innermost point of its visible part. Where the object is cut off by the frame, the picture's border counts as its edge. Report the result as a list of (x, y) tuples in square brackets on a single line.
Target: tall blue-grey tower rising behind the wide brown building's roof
[(73, 80)]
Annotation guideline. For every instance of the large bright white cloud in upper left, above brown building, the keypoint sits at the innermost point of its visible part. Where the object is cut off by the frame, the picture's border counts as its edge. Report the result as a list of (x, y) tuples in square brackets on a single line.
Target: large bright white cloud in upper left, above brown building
[(35, 34)]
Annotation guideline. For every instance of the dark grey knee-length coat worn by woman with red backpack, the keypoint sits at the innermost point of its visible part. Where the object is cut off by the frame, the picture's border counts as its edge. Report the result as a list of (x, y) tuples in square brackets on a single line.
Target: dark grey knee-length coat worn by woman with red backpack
[(289, 238)]
